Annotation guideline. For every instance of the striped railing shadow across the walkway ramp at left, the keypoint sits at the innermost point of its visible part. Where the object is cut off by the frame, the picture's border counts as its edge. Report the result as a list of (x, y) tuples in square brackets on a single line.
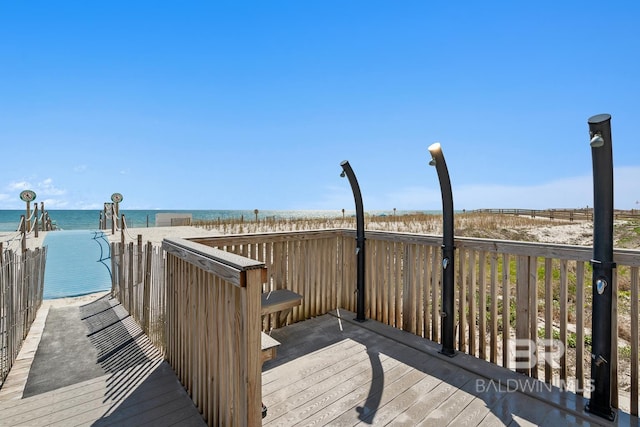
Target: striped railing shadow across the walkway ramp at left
[(141, 388)]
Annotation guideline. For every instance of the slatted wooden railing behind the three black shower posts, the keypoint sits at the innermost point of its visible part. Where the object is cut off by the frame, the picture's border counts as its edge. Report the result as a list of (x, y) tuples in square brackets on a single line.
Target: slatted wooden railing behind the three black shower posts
[(505, 290)]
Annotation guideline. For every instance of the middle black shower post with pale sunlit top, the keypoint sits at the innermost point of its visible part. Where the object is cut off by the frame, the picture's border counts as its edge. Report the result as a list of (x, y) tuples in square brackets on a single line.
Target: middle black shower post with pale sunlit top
[(437, 160)]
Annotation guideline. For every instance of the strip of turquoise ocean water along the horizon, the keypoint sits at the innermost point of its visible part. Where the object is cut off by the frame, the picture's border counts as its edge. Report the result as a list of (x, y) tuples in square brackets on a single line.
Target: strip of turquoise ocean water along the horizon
[(90, 219)]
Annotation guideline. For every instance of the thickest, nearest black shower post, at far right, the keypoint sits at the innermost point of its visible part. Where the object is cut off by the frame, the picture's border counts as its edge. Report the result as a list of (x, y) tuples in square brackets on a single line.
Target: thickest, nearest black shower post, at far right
[(603, 265)]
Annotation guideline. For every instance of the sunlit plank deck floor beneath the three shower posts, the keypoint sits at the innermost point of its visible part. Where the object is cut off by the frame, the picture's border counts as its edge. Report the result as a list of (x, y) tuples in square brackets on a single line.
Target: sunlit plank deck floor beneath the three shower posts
[(333, 371)]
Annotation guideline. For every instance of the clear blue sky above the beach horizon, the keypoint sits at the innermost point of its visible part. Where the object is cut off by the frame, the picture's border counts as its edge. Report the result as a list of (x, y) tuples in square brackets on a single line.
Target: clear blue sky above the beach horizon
[(254, 104)]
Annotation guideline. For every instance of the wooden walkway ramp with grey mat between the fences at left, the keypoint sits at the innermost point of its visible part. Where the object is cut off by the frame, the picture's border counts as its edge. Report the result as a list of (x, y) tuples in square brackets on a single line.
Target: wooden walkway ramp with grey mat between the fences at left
[(92, 365)]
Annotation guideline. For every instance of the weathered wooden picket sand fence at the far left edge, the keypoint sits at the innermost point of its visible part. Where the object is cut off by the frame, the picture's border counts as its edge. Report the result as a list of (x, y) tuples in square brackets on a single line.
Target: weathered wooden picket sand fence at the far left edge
[(21, 286)]
